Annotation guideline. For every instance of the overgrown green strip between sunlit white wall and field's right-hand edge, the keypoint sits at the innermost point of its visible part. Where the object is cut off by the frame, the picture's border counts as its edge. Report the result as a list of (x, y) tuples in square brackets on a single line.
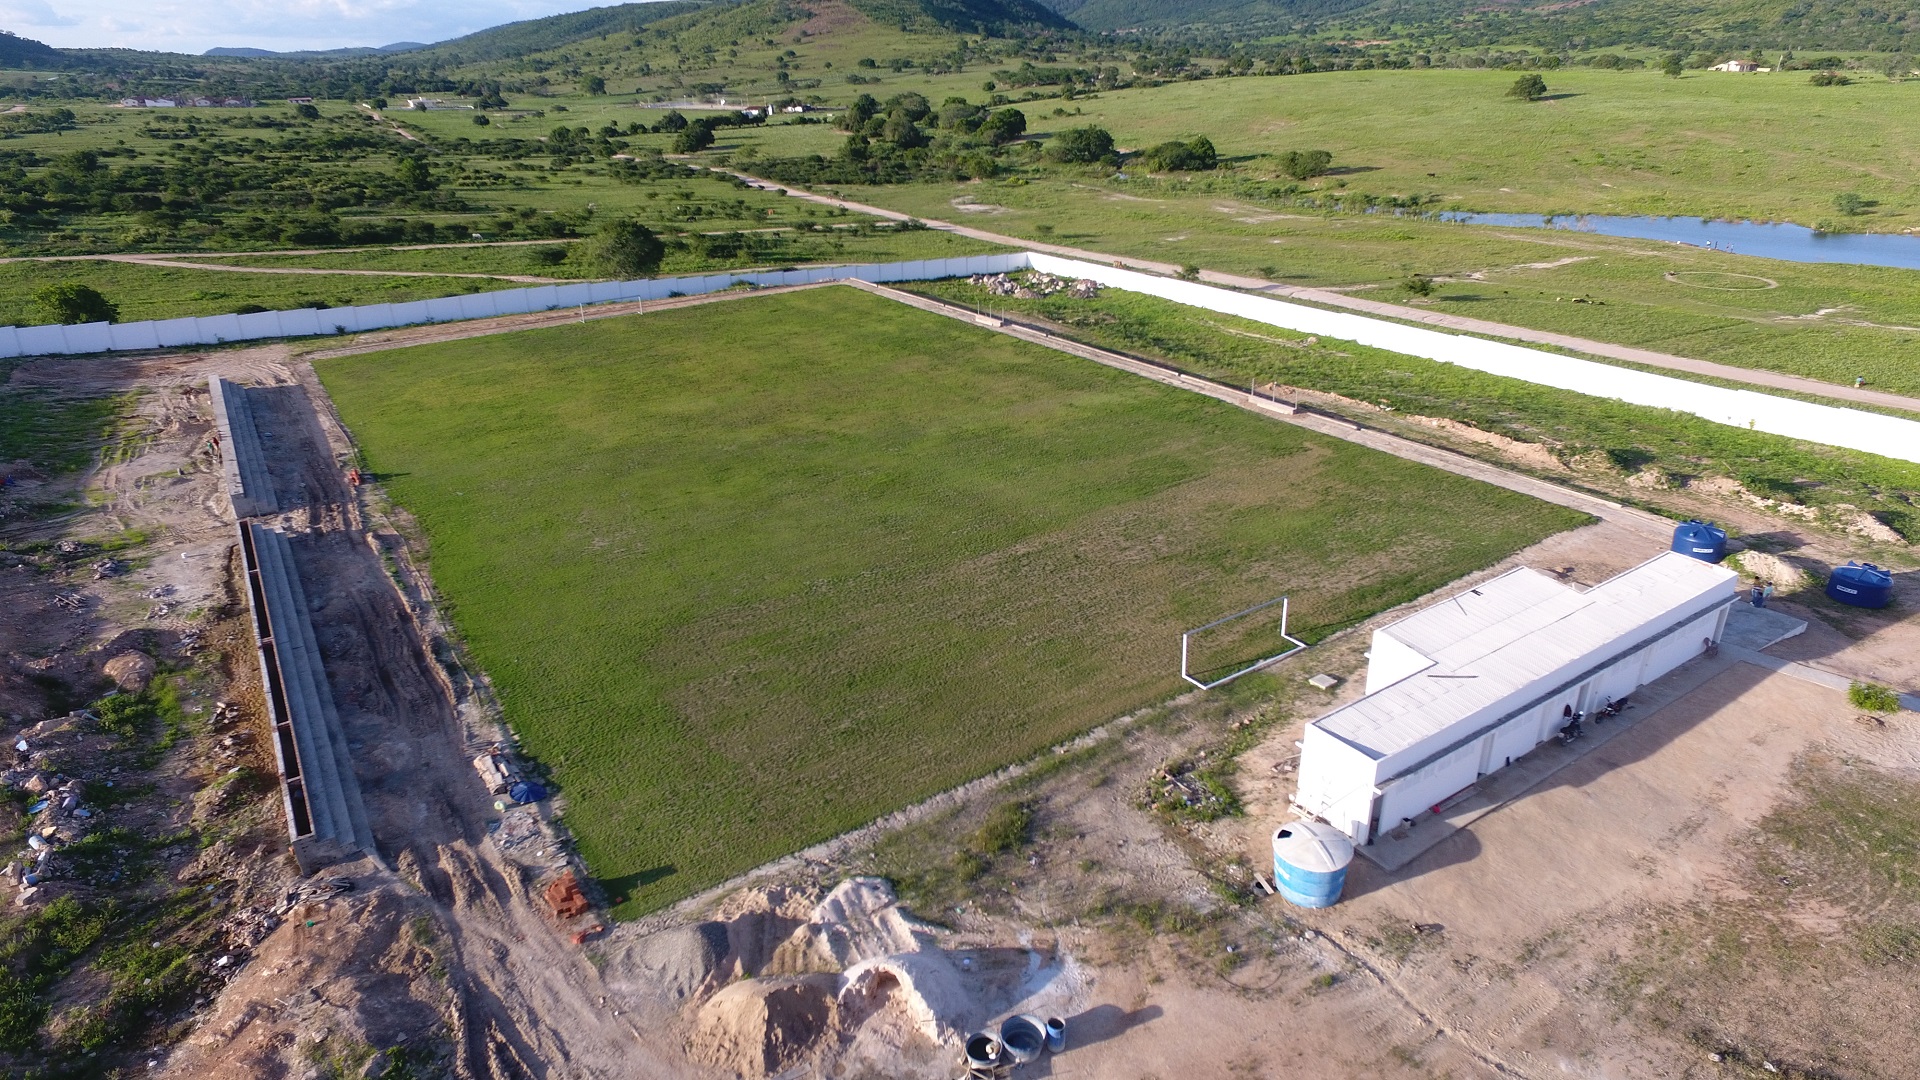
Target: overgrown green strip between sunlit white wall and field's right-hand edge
[(1598, 441)]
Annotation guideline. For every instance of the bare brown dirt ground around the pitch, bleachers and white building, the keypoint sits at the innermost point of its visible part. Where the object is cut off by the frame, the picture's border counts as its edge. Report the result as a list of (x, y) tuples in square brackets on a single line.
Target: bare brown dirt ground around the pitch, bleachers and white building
[(1548, 935)]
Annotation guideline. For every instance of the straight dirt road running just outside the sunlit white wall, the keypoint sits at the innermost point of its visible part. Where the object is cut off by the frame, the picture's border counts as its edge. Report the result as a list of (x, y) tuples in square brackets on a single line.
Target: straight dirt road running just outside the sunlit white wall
[(1750, 376)]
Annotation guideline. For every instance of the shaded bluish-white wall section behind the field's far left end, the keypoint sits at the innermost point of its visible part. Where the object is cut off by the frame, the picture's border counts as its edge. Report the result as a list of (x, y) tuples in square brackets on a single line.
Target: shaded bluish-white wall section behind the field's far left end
[(310, 322)]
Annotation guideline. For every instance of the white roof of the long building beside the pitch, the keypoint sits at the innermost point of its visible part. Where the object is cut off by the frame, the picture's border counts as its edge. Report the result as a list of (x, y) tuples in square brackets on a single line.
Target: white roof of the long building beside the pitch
[(1510, 633)]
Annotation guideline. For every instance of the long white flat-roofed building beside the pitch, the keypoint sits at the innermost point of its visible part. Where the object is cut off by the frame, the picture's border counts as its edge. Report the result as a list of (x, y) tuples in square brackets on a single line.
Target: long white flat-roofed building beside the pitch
[(1474, 683)]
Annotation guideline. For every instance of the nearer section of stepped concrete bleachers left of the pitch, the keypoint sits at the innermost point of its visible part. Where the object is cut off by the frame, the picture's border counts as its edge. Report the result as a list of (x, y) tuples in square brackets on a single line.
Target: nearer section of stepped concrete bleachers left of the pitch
[(316, 764)]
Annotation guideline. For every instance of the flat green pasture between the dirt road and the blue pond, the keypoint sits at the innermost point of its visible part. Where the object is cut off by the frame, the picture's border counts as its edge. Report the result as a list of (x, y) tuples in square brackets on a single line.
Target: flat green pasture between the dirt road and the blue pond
[(1819, 320)]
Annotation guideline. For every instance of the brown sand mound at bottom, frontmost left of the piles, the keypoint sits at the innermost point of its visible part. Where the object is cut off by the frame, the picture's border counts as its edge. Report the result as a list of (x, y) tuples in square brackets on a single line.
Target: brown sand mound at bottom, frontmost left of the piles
[(767, 1025)]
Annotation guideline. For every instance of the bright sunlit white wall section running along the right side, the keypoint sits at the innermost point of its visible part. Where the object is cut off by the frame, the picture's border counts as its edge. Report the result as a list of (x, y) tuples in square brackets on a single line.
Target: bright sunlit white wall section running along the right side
[(1873, 433)]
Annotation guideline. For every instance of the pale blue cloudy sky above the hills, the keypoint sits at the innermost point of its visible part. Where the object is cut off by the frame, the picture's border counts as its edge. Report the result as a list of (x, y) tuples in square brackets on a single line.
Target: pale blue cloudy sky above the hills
[(197, 26)]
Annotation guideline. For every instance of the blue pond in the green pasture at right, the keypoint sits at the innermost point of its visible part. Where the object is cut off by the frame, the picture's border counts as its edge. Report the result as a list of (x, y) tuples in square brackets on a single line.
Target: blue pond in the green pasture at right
[(1771, 241)]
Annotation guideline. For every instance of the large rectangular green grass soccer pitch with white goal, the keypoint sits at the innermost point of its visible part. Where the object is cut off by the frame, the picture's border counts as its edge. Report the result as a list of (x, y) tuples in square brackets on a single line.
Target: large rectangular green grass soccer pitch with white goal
[(746, 587)]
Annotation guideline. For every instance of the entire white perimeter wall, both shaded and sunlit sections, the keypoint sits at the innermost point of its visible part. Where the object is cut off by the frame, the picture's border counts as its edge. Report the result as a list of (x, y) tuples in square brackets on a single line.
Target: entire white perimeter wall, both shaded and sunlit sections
[(1873, 433)]
